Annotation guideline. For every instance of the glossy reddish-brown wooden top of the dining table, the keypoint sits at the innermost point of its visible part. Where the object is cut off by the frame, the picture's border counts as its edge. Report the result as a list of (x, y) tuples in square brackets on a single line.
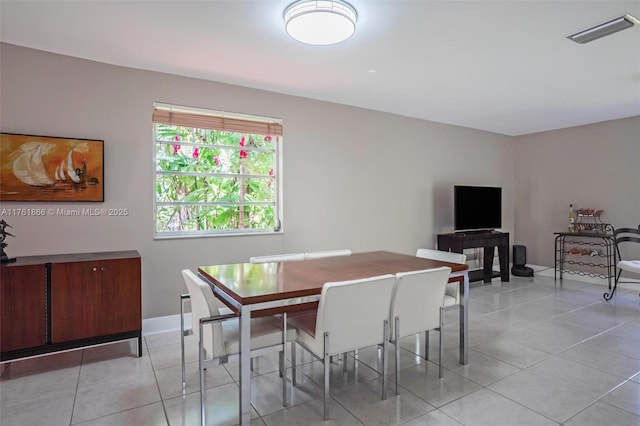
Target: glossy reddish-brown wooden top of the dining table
[(249, 283)]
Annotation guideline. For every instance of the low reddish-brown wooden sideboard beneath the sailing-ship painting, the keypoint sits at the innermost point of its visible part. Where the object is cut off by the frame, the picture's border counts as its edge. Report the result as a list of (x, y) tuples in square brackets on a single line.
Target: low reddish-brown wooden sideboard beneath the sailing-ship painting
[(58, 302)]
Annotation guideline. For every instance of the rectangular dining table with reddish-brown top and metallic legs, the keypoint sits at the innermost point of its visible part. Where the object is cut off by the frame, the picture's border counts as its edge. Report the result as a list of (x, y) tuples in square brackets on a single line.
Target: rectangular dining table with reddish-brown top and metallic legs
[(280, 287)]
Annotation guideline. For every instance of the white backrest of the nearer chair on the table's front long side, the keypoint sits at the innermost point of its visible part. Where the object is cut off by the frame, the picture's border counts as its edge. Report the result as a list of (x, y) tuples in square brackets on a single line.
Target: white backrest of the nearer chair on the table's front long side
[(353, 313)]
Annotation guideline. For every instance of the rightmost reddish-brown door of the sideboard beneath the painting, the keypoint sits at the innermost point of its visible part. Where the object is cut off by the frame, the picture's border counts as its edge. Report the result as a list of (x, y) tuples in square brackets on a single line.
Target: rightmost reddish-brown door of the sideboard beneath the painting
[(121, 309)]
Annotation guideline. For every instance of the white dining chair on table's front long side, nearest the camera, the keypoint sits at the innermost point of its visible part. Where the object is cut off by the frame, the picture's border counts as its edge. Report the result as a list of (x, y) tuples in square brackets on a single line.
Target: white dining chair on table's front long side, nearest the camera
[(351, 314)]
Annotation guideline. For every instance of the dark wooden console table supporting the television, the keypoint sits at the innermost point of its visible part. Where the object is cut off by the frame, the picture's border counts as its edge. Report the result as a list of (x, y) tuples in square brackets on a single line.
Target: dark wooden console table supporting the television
[(459, 241)]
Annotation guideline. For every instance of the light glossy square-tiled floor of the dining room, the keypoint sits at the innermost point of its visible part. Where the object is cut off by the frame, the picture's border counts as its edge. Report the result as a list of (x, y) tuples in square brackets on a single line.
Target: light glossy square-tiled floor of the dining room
[(542, 353)]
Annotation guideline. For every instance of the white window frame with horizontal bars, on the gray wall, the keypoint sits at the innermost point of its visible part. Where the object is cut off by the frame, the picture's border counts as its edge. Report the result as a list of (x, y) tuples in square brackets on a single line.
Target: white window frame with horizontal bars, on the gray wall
[(237, 118)]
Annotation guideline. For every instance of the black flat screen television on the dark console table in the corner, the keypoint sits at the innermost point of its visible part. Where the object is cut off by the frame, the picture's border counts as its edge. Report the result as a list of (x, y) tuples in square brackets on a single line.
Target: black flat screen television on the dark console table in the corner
[(477, 208)]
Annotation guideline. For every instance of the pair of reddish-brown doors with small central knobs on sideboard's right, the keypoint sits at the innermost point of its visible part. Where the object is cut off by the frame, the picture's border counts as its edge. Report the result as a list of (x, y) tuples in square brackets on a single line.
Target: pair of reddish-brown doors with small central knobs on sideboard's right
[(95, 298)]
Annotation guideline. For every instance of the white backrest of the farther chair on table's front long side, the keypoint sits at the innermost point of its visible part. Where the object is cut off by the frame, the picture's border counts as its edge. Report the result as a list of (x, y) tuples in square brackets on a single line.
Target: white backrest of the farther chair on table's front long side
[(416, 300)]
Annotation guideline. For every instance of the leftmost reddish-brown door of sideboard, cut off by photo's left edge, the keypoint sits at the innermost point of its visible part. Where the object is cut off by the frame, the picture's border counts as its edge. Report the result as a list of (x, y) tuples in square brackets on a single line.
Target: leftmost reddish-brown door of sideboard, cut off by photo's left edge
[(22, 307)]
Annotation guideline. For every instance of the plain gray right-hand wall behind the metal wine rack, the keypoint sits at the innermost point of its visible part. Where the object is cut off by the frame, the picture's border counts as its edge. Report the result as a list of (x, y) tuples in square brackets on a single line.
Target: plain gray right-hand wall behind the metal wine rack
[(594, 166)]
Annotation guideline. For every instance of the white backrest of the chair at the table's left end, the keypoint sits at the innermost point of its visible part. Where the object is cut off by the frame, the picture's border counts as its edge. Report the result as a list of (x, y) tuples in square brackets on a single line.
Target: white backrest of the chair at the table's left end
[(204, 304)]
